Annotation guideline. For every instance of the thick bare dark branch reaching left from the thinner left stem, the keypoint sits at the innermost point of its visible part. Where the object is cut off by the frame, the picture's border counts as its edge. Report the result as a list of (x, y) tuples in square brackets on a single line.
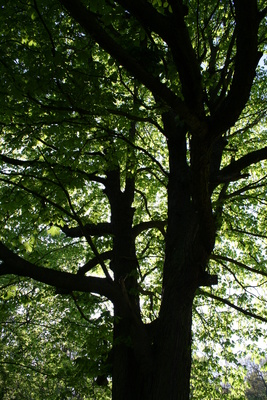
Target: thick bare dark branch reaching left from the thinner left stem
[(12, 264)]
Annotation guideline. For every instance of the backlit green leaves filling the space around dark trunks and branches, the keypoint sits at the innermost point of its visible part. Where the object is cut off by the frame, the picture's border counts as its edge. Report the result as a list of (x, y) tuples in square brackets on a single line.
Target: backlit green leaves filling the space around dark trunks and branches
[(71, 115)]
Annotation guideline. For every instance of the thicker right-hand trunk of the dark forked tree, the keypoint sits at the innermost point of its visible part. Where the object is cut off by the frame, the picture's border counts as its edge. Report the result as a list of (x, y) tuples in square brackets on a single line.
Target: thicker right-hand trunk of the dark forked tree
[(186, 257)]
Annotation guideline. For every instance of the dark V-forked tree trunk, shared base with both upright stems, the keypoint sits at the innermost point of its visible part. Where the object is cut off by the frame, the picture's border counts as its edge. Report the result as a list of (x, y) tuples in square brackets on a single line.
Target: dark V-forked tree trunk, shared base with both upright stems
[(158, 366)]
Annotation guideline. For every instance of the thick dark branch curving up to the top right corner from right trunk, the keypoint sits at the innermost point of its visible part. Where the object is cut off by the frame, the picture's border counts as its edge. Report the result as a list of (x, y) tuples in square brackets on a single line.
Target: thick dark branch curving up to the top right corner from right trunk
[(246, 61)]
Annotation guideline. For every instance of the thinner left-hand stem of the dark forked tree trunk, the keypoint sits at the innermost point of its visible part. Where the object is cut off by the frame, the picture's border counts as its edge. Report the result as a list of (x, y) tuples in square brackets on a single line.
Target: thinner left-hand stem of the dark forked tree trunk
[(131, 353)]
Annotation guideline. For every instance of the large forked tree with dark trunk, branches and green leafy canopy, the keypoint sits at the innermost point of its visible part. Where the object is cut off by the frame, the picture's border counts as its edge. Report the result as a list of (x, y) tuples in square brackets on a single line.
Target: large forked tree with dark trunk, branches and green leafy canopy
[(133, 154)]
